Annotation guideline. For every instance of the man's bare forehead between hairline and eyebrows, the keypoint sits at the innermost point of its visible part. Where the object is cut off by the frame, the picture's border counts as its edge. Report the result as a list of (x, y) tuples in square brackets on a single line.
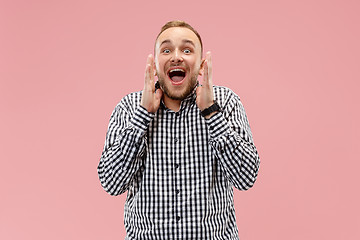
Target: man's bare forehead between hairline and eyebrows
[(177, 35)]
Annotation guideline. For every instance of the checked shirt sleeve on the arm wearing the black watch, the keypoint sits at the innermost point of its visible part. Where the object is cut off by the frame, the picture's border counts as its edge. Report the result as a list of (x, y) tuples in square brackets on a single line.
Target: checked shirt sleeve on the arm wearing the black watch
[(232, 144)]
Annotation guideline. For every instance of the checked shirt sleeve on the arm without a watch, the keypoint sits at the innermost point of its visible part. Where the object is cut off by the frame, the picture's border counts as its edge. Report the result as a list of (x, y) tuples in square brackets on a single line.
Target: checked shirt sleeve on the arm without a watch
[(124, 148)]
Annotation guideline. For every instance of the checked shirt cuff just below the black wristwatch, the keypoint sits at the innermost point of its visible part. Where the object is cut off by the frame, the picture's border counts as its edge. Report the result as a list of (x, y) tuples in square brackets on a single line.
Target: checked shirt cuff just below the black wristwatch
[(218, 126)]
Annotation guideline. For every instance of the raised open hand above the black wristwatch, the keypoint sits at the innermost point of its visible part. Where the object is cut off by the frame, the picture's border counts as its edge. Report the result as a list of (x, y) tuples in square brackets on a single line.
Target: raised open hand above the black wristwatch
[(204, 93)]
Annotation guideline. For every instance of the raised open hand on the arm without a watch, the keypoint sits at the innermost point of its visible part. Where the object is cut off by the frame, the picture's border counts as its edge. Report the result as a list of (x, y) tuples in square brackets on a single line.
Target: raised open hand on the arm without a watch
[(150, 99)]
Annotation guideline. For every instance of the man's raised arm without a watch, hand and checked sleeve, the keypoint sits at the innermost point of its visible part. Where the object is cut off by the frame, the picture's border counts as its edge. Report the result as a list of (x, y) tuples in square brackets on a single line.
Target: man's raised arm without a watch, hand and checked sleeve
[(125, 140)]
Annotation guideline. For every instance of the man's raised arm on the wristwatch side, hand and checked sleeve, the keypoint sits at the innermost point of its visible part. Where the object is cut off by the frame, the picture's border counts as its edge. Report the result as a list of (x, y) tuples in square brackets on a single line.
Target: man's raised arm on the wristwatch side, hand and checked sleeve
[(230, 136)]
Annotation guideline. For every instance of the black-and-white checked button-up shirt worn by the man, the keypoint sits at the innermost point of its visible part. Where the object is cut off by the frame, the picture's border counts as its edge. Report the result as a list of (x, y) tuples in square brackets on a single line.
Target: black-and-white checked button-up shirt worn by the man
[(178, 168)]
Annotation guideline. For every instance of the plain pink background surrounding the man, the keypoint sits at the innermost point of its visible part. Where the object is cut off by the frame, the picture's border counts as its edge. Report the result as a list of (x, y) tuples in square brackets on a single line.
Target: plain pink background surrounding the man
[(64, 65)]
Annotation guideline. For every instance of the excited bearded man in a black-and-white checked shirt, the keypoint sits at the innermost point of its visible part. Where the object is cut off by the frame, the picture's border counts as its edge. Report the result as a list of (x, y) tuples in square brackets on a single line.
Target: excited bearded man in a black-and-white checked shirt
[(178, 148)]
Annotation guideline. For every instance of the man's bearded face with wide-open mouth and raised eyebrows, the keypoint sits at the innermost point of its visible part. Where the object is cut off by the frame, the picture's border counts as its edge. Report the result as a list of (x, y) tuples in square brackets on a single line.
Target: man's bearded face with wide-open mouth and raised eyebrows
[(177, 61)]
